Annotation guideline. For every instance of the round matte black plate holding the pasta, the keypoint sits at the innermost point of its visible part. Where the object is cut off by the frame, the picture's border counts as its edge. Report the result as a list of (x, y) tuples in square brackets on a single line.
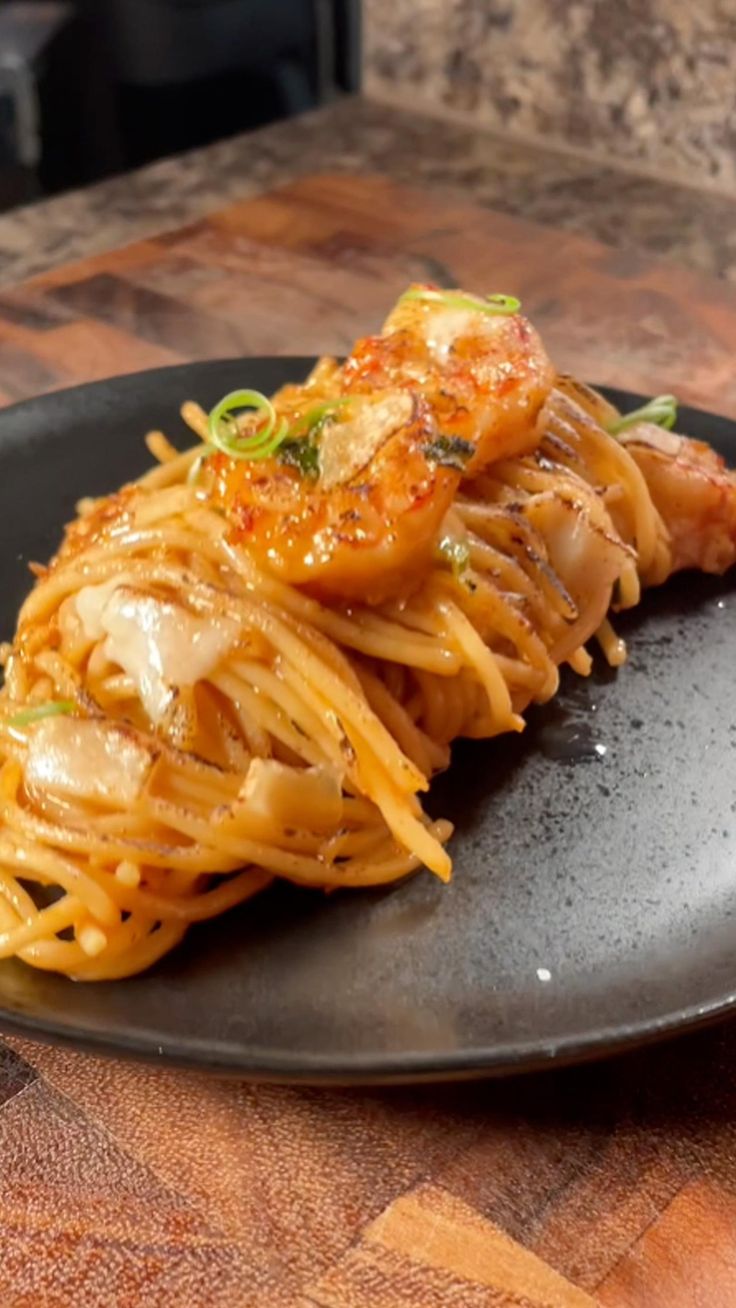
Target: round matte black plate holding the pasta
[(595, 857)]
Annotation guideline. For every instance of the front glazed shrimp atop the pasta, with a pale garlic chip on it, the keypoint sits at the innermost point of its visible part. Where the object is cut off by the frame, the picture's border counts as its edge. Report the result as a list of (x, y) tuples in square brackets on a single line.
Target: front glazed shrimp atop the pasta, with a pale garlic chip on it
[(368, 524)]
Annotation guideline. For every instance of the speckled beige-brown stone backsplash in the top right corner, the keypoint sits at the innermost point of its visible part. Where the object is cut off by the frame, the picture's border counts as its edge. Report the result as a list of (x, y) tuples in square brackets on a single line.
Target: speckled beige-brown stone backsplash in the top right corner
[(648, 83)]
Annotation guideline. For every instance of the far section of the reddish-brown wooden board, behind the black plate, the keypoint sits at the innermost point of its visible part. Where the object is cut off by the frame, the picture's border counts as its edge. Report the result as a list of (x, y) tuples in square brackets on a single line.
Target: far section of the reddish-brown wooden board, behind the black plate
[(307, 269)]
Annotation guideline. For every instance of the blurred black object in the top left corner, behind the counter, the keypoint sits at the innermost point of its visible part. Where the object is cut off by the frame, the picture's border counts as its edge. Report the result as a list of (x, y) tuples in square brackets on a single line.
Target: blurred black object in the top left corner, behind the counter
[(90, 88)]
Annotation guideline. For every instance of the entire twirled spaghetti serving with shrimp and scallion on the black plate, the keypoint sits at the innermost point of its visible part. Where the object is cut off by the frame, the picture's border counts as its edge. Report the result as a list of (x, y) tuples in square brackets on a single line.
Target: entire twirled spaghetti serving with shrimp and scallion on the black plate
[(252, 663)]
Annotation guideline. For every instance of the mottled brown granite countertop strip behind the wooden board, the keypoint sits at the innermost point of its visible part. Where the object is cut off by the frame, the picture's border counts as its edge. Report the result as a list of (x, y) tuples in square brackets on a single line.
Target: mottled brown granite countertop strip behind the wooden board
[(687, 224)]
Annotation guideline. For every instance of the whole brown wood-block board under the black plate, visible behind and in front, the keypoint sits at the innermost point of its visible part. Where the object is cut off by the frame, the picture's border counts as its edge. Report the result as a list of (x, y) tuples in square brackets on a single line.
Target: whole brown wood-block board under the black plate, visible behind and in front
[(126, 1186)]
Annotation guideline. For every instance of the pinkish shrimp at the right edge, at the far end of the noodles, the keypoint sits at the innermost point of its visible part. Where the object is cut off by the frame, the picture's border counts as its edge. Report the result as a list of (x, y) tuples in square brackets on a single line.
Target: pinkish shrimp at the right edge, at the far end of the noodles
[(694, 492)]
